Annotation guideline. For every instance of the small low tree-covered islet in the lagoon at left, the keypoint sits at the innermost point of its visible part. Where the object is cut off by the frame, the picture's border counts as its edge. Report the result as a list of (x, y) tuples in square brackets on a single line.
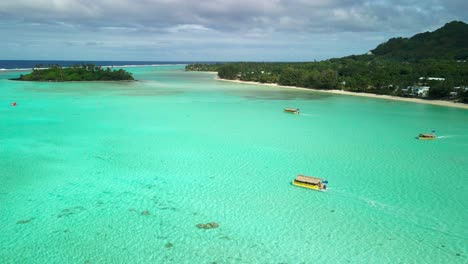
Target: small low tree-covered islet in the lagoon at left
[(85, 72)]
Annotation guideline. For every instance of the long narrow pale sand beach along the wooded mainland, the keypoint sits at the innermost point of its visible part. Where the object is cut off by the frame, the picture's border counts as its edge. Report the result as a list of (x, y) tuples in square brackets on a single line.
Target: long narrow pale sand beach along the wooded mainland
[(369, 95)]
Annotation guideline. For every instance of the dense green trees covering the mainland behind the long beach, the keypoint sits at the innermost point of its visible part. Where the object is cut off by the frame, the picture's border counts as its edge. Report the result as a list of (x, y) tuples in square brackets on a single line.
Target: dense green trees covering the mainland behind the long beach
[(384, 73)]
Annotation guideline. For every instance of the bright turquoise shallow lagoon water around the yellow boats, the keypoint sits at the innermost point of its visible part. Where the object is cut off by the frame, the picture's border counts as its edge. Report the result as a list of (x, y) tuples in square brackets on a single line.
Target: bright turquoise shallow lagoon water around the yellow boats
[(123, 173)]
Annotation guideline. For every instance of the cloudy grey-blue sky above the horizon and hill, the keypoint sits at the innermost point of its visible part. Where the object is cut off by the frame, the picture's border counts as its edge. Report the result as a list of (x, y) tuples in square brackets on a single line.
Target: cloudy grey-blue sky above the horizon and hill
[(212, 30)]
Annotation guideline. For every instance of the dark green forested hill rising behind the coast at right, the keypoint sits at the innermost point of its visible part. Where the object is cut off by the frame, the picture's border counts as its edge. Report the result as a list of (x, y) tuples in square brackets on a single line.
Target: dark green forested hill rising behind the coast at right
[(447, 42)]
